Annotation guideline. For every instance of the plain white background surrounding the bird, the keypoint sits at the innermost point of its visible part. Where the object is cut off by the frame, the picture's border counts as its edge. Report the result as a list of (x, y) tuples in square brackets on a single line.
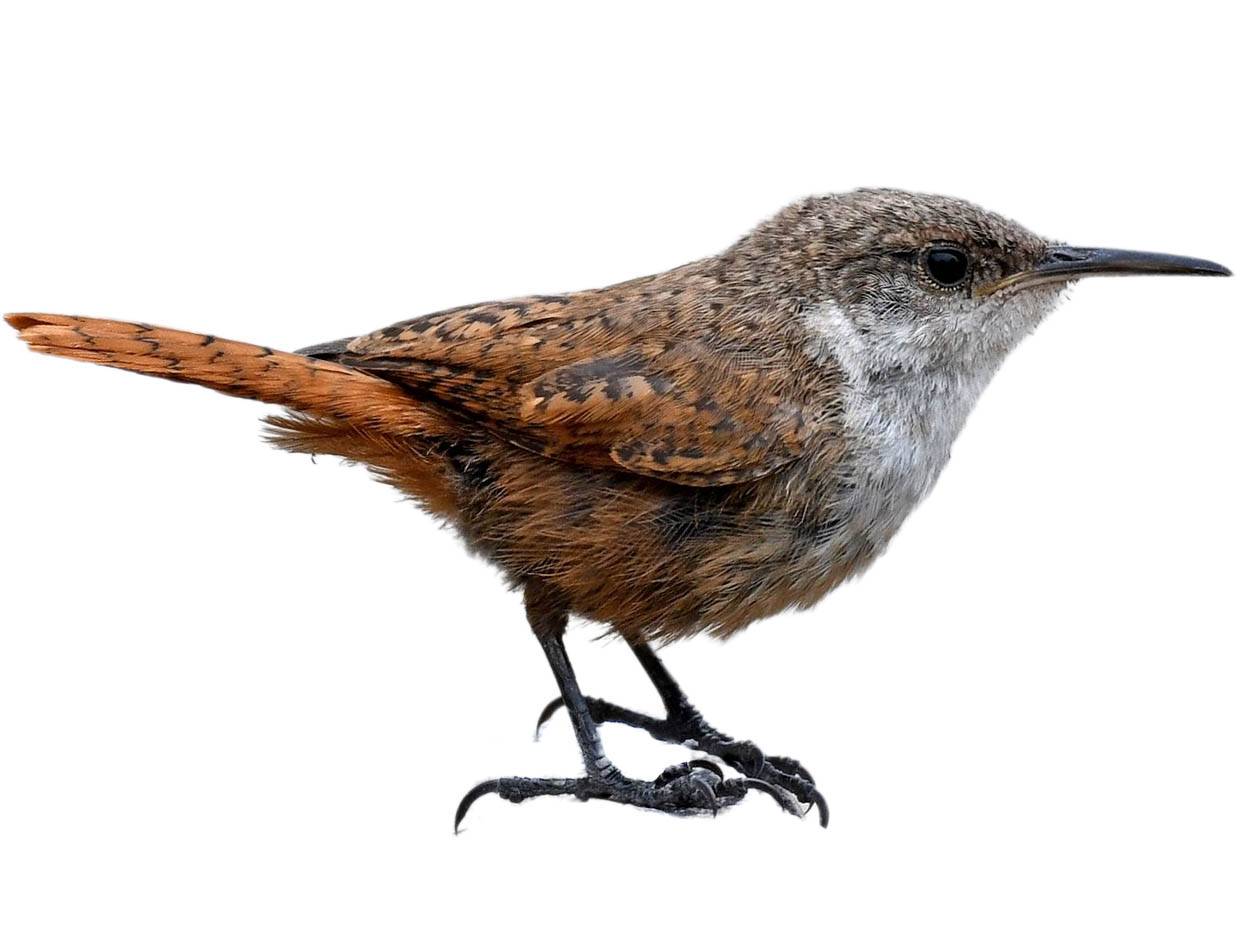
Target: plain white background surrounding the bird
[(241, 693)]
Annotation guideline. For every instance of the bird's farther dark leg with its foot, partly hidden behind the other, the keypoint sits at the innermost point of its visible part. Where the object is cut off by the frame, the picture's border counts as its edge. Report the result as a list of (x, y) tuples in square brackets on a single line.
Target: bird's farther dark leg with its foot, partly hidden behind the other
[(683, 724)]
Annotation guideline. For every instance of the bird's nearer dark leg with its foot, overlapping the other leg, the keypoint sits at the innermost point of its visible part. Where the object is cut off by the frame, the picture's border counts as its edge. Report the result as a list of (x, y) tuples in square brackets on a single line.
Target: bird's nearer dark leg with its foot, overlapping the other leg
[(688, 789)]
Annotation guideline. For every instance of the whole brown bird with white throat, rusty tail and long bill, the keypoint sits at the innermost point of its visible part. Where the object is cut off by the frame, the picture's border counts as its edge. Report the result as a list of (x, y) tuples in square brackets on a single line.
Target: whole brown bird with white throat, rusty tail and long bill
[(680, 454)]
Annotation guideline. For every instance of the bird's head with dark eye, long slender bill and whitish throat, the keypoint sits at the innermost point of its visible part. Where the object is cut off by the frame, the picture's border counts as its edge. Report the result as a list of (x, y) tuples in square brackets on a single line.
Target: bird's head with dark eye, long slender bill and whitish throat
[(916, 281)]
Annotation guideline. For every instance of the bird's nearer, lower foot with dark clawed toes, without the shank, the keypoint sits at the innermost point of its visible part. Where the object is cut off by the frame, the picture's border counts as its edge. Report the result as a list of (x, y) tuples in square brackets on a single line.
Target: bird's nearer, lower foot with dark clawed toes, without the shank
[(694, 788)]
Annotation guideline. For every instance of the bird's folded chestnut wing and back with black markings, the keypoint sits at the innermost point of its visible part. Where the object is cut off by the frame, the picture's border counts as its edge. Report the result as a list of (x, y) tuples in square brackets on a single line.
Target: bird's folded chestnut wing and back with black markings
[(639, 377)]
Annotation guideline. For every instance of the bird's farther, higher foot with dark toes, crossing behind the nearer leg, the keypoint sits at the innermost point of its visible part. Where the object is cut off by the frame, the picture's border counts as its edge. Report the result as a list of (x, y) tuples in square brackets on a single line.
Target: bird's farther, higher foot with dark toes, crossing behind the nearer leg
[(688, 728)]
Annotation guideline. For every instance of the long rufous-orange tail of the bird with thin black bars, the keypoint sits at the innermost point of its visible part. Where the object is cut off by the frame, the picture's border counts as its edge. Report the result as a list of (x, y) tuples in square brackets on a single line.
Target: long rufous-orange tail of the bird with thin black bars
[(325, 390)]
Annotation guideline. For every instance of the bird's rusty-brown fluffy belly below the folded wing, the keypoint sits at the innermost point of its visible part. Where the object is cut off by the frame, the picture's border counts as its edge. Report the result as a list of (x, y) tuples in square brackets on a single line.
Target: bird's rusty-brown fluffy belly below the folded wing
[(657, 560)]
